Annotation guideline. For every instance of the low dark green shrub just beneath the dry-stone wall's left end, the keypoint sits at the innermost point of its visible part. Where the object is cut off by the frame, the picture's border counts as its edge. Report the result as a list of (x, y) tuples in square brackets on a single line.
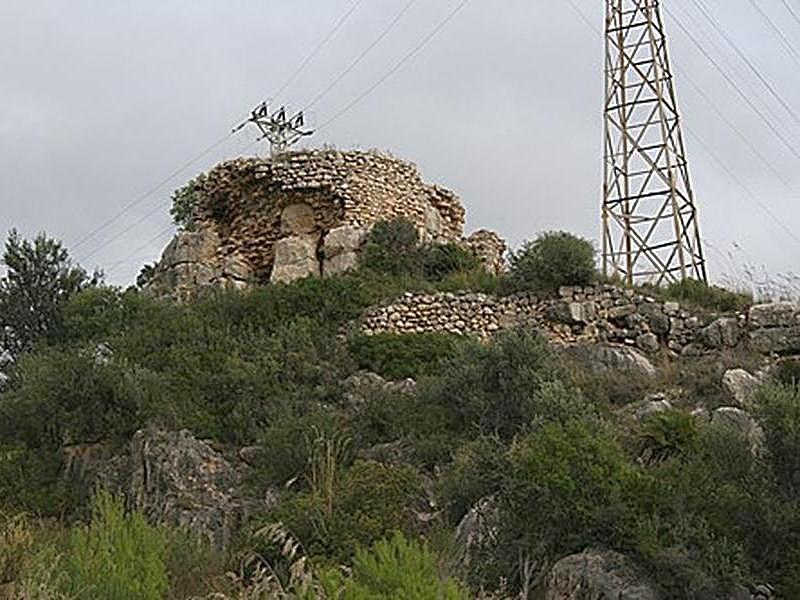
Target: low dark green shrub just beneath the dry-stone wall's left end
[(398, 356)]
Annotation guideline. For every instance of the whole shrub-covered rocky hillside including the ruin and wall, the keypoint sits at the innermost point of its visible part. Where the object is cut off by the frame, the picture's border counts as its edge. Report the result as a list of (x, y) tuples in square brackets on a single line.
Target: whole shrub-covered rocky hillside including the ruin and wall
[(420, 421)]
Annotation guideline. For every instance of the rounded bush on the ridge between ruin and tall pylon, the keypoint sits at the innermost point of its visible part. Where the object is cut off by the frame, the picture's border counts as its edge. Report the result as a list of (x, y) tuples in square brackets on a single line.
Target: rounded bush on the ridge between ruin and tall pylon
[(553, 260)]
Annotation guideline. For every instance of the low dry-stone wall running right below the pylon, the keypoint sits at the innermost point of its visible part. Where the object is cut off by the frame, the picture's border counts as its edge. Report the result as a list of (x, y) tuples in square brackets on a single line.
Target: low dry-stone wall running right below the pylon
[(599, 313)]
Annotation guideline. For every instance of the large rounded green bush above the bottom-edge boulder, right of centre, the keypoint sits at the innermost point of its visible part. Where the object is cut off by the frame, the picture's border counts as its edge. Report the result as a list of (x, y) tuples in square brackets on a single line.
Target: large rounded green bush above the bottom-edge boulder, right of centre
[(580, 482)]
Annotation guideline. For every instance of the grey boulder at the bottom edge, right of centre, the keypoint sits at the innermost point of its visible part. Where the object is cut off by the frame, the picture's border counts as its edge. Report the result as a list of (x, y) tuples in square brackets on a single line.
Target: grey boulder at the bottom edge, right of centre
[(598, 575)]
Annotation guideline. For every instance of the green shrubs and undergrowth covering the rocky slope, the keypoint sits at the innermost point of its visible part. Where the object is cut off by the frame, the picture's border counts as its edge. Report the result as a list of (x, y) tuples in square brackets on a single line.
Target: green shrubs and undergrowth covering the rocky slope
[(376, 485)]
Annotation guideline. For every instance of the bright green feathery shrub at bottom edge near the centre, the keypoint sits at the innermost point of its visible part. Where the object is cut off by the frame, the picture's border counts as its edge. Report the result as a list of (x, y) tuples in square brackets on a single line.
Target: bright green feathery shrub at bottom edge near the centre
[(399, 568)]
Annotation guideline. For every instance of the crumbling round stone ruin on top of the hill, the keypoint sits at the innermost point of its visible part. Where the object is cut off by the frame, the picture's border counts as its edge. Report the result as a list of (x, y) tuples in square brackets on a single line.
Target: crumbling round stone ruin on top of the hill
[(306, 213)]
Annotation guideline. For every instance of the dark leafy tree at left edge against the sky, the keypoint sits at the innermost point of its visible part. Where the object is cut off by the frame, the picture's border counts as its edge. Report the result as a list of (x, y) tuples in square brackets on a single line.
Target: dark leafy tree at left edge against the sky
[(40, 278)]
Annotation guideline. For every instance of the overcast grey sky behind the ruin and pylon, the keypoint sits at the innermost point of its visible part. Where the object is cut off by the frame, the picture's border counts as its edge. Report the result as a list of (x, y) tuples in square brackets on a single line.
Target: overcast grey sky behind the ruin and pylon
[(100, 100)]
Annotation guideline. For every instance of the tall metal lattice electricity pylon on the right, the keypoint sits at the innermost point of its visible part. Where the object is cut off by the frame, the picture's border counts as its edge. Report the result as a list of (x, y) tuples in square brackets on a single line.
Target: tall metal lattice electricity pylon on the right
[(650, 226)]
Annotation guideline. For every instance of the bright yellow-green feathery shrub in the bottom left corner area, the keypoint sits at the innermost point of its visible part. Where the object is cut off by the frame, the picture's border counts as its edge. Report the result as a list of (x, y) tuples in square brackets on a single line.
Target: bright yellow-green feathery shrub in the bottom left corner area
[(116, 556)]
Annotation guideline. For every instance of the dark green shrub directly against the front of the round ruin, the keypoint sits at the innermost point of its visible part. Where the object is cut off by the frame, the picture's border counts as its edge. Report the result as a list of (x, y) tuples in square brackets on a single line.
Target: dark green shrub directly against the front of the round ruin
[(391, 248)]
